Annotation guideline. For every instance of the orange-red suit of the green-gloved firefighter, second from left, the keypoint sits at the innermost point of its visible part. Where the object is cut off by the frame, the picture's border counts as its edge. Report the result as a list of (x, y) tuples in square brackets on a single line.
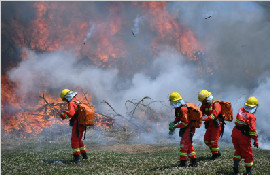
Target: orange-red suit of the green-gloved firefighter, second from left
[(186, 147)]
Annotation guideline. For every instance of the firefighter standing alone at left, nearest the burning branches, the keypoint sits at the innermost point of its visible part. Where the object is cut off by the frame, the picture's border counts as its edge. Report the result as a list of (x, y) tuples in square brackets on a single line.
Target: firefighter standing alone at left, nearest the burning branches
[(77, 130)]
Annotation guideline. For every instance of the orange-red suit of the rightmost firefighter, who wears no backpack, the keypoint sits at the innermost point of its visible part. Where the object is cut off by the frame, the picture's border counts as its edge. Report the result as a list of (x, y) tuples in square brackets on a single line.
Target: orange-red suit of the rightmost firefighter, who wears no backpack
[(242, 140)]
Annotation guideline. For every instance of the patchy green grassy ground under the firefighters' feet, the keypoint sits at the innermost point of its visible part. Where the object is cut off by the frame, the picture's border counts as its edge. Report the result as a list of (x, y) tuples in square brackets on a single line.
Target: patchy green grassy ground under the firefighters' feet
[(55, 158)]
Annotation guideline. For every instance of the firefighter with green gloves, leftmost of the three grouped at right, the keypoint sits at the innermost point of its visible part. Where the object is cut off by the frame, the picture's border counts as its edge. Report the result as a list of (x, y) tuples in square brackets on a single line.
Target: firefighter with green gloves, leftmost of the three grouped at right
[(186, 130)]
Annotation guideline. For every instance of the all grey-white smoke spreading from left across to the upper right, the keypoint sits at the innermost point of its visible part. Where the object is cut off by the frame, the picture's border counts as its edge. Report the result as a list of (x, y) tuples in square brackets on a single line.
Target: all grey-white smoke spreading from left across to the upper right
[(236, 39)]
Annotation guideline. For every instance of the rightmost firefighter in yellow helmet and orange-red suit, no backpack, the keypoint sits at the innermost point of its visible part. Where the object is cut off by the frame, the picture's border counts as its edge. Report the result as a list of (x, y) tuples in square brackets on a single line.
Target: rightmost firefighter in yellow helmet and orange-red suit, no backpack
[(242, 133)]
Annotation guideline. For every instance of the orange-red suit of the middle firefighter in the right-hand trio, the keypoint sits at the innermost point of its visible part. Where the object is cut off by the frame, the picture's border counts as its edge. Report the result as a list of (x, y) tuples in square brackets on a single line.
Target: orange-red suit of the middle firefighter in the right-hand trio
[(212, 133)]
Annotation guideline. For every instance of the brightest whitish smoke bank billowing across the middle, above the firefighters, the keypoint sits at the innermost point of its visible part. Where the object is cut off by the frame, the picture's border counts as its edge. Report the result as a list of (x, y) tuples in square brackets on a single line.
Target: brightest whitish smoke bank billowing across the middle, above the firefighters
[(62, 69)]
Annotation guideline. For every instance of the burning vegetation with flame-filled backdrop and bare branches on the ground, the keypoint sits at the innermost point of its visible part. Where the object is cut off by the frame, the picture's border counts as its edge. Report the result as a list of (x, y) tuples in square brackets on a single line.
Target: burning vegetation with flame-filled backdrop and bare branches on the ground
[(98, 38)]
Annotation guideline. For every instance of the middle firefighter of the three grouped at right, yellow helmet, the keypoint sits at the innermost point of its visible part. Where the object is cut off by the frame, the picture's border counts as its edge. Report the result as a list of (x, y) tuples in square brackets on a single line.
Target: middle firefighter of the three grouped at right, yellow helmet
[(211, 111)]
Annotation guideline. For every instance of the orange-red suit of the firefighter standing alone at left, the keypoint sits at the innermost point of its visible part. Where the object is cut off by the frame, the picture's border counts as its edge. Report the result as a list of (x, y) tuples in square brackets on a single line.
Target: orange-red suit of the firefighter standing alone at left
[(77, 130)]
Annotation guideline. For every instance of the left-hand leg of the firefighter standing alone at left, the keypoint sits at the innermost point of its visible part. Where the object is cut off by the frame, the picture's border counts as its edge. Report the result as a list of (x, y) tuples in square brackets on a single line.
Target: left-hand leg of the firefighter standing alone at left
[(75, 144)]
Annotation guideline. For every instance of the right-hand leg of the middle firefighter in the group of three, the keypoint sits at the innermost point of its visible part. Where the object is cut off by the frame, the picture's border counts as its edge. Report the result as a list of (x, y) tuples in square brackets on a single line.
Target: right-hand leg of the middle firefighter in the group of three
[(214, 142)]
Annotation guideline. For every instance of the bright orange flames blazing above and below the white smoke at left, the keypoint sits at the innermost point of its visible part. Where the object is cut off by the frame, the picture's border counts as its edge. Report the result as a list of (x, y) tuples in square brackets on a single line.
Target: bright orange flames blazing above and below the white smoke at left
[(50, 30)]
